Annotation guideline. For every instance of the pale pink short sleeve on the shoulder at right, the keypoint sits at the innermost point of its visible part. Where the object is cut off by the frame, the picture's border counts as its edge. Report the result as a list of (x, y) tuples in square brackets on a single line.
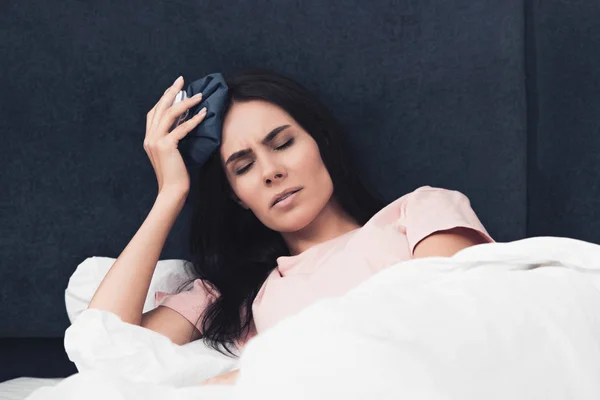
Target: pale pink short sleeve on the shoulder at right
[(429, 209)]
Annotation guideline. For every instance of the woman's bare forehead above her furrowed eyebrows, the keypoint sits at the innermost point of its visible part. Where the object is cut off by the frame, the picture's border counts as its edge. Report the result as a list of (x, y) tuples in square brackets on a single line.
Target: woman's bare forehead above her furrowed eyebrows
[(249, 122)]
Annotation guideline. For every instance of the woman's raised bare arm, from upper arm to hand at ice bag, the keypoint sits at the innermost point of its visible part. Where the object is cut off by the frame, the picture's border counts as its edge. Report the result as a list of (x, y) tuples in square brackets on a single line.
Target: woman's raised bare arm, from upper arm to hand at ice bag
[(124, 289)]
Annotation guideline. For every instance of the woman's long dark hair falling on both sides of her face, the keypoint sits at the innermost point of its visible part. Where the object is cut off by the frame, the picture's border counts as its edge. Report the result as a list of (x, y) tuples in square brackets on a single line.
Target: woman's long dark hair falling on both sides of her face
[(230, 249)]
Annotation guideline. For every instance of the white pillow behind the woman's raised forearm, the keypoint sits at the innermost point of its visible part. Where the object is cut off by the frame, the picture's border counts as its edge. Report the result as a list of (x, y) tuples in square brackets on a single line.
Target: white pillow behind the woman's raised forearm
[(168, 276)]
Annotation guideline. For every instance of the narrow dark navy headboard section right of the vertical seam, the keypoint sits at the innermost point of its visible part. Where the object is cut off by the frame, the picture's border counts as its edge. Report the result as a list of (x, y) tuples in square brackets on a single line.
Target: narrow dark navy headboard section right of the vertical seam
[(564, 166)]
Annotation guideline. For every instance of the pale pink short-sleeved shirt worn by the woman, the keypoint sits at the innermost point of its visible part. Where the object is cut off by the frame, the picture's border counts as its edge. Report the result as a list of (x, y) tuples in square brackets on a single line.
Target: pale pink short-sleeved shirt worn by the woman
[(333, 267)]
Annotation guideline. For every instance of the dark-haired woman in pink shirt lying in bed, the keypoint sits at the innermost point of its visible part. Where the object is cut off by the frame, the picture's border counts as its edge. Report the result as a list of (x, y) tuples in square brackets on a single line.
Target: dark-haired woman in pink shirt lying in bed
[(280, 219)]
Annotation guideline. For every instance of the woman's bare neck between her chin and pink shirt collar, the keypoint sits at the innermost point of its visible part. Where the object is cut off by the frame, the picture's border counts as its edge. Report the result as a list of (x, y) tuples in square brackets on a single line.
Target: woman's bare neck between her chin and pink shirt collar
[(331, 222)]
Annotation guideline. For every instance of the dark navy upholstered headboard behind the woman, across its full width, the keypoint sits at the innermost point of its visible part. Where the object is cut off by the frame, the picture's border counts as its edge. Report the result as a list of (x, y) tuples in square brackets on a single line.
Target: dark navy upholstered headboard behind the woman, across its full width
[(496, 99)]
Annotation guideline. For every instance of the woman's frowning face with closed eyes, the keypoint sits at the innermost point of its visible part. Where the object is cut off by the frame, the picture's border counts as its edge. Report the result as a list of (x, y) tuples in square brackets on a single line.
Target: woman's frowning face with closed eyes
[(265, 152)]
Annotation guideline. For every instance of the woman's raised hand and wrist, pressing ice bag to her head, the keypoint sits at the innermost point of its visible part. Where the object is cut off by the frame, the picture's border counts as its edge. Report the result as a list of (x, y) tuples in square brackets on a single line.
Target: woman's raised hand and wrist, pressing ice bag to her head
[(161, 145)]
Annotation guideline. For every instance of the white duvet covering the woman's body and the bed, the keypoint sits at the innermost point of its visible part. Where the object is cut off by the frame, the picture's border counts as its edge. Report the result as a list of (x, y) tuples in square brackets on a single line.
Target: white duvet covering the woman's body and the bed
[(518, 320)]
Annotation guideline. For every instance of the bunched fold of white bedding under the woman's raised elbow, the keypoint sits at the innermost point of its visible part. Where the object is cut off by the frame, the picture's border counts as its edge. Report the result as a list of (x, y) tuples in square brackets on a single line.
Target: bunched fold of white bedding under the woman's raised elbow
[(99, 341)]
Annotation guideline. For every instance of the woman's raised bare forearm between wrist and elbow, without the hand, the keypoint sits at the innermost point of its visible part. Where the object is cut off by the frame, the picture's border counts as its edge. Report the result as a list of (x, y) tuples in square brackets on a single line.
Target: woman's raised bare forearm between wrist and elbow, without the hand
[(124, 288)]
